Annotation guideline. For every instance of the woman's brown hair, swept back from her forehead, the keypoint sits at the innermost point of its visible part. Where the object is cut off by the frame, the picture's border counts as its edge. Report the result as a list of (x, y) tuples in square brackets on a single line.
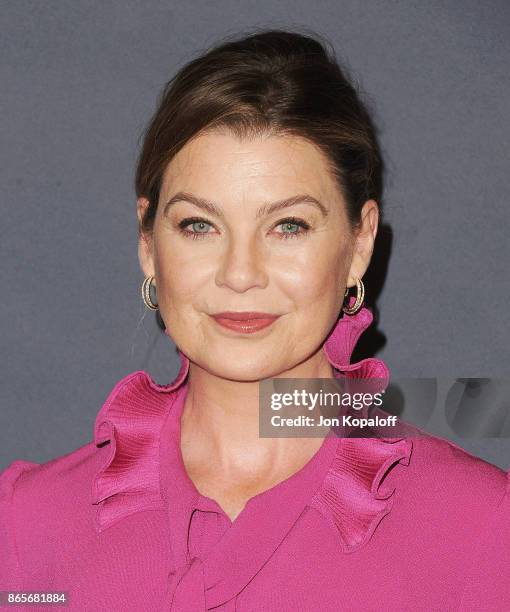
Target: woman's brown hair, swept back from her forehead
[(269, 81)]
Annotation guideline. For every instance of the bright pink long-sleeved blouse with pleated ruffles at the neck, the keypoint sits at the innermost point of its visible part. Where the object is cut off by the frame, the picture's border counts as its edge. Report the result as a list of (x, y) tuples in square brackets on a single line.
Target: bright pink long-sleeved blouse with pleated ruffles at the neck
[(367, 524)]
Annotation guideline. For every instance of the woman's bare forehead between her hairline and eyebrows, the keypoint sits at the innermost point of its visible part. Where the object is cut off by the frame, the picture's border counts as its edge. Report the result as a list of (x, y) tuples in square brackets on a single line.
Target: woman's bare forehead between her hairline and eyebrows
[(219, 159)]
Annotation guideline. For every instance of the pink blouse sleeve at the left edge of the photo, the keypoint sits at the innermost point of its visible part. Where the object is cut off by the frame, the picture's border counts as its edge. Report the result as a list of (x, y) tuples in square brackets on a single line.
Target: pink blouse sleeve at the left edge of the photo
[(10, 569)]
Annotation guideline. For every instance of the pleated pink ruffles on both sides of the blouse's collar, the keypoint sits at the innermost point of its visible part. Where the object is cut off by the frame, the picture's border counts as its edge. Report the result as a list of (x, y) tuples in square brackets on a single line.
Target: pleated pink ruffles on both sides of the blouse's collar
[(348, 496)]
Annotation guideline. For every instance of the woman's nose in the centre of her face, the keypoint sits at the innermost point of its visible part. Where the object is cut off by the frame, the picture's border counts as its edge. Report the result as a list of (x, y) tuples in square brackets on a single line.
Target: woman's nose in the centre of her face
[(241, 266)]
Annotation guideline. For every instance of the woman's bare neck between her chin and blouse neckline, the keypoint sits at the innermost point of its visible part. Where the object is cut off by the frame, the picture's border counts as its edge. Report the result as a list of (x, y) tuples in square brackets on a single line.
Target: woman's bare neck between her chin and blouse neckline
[(220, 428)]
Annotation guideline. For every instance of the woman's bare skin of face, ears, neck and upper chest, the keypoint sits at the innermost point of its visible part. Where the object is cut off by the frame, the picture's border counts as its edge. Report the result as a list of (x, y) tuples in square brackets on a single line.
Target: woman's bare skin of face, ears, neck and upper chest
[(242, 262)]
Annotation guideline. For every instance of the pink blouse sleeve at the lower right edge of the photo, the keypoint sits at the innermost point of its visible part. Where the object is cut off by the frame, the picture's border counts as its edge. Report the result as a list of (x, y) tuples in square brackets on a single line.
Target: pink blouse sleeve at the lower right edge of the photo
[(488, 583)]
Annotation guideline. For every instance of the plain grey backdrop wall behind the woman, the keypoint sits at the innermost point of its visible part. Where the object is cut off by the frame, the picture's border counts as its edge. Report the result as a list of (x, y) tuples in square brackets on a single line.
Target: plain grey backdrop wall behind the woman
[(79, 83)]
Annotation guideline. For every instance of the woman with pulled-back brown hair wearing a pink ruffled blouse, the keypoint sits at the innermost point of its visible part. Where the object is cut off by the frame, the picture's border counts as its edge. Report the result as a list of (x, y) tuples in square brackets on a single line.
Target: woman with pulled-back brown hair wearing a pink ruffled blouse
[(258, 187)]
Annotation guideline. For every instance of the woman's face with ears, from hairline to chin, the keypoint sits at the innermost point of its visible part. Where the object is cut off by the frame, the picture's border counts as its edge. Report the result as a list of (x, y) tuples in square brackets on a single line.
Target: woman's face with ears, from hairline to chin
[(244, 257)]
